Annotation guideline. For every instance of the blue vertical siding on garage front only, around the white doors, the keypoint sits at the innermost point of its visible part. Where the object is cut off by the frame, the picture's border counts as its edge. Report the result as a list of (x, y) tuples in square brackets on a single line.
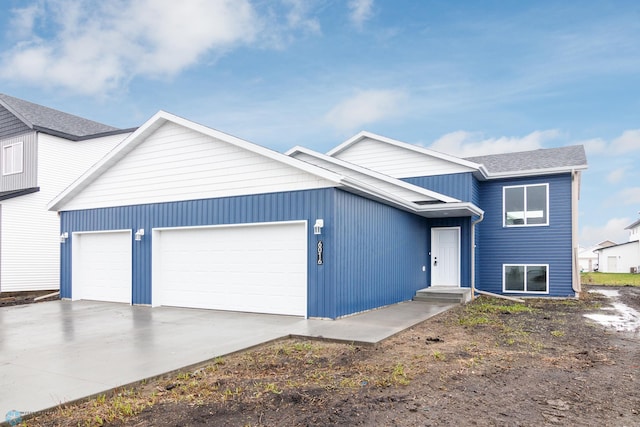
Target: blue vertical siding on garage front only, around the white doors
[(286, 206)]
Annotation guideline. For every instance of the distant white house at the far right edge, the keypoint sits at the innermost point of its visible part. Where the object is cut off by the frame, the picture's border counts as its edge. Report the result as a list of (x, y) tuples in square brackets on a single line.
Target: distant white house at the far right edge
[(622, 258)]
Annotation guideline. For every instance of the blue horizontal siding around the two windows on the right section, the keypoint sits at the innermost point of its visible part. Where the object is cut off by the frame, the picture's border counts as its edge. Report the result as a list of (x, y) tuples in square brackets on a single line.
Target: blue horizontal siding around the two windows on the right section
[(498, 245)]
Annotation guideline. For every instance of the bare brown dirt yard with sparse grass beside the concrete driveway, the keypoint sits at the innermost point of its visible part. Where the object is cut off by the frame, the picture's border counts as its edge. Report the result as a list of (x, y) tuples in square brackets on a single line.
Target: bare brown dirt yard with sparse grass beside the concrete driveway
[(490, 363)]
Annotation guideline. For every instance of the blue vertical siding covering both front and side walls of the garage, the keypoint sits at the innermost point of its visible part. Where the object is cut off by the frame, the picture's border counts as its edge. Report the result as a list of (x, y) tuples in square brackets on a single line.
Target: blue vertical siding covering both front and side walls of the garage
[(373, 253)]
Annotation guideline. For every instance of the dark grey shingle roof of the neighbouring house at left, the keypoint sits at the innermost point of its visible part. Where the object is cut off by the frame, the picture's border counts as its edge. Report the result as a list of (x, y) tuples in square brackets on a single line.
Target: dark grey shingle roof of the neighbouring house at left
[(55, 122)]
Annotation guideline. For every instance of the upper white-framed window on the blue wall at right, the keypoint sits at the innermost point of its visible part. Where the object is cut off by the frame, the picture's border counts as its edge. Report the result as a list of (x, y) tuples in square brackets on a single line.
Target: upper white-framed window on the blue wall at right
[(526, 205)]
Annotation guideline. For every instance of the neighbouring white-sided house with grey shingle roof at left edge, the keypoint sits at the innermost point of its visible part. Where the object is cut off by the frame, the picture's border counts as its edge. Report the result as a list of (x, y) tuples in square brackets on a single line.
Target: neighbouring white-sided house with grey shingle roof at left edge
[(42, 151)]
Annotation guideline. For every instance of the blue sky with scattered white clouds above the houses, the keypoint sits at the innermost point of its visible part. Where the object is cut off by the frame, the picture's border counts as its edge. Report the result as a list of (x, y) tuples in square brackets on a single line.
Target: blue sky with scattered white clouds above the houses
[(461, 77)]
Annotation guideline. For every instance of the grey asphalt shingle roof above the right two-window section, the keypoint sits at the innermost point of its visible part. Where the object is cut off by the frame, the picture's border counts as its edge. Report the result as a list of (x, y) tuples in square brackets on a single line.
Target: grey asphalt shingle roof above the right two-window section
[(547, 158)]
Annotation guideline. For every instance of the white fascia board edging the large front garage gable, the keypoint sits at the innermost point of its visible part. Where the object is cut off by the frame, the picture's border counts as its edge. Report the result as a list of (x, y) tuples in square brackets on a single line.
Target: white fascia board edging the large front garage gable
[(158, 119)]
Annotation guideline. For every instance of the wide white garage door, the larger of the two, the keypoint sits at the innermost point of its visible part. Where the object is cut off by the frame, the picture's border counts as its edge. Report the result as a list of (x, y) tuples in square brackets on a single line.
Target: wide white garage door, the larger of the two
[(260, 268)]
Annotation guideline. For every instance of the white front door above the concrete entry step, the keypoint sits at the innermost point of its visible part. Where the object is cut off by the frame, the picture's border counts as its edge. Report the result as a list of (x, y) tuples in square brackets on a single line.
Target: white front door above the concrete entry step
[(445, 256)]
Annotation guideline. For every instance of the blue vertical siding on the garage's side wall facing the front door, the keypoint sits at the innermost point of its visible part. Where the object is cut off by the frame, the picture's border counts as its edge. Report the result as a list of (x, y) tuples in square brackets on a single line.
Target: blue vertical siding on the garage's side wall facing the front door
[(378, 253)]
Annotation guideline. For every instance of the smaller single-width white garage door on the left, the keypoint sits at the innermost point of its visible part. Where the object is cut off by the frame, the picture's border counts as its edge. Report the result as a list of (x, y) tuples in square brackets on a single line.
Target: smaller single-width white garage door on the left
[(101, 266)]
